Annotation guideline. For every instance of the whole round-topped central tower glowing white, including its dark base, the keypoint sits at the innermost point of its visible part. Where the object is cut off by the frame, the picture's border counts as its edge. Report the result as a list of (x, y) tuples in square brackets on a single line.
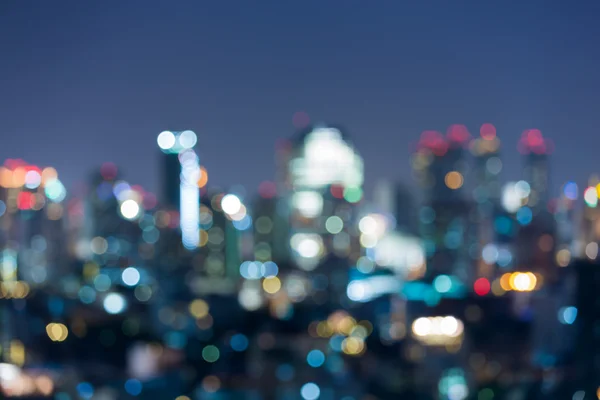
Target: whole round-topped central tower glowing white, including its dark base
[(320, 182)]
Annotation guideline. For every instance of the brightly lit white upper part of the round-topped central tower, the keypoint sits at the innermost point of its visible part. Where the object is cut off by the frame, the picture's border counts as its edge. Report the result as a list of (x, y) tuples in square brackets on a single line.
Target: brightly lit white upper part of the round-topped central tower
[(322, 179)]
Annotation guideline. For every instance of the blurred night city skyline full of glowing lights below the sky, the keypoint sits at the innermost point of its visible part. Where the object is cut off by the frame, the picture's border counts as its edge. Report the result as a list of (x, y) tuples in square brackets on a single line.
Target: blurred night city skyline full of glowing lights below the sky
[(305, 287)]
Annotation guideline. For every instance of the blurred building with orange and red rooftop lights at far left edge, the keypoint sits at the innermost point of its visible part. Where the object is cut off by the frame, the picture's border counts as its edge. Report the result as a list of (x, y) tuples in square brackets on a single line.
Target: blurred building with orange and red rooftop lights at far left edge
[(31, 246)]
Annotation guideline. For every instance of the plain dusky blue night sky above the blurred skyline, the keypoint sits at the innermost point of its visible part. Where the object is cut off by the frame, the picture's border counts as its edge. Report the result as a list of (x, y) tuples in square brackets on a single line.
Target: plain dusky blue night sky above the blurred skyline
[(83, 82)]
